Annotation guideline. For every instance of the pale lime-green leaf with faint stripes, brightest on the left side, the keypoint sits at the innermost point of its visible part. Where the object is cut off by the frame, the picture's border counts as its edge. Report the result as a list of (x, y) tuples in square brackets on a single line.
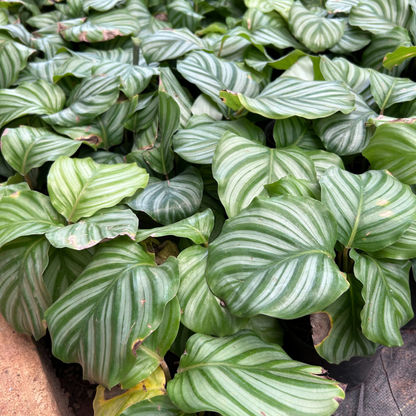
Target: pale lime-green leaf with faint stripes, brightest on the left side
[(80, 187)]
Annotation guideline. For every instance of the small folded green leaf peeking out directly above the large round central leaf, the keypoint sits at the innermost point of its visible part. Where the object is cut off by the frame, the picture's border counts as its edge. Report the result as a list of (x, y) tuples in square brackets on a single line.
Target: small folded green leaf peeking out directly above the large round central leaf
[(289, 185)]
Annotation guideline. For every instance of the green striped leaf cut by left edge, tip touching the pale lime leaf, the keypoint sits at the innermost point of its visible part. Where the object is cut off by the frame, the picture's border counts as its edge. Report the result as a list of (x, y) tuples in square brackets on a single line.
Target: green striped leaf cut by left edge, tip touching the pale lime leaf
[(26, 213)]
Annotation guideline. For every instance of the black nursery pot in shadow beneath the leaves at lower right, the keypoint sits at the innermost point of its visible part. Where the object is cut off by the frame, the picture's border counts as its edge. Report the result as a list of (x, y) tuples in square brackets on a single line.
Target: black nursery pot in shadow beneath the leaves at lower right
[(298, 345)]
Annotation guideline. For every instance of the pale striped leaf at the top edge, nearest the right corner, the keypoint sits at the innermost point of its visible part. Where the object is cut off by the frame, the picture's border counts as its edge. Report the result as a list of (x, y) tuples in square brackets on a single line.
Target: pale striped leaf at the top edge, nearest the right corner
[(378, 16)]
